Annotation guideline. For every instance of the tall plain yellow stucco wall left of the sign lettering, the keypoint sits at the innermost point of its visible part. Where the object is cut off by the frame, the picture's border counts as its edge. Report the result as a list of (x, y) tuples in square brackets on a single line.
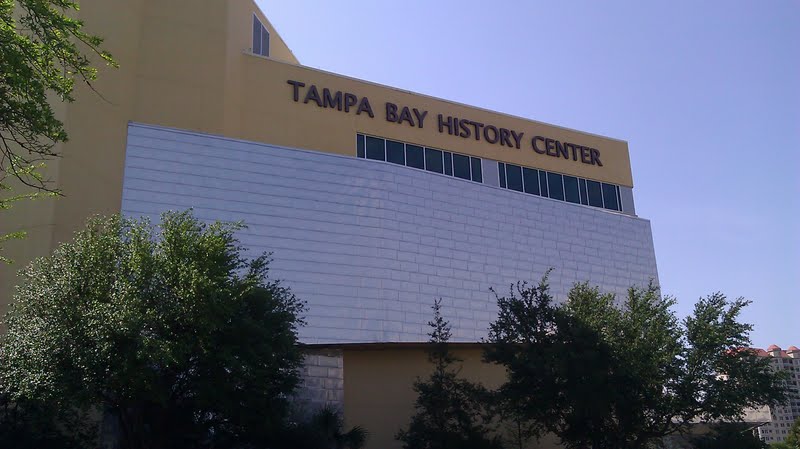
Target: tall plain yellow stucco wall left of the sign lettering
[(179, 65)]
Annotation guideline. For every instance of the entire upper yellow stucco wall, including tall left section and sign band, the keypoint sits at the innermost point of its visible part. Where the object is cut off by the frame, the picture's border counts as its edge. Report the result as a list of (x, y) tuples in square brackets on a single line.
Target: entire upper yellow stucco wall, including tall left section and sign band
[(190, 67)]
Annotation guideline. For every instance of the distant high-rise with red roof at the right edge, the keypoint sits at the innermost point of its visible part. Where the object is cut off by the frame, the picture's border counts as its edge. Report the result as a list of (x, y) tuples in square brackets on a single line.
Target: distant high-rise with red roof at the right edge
[(782, 416)]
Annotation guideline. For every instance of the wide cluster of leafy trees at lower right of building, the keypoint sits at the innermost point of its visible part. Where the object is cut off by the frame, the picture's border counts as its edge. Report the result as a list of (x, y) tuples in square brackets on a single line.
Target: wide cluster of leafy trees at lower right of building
[(604, 376)]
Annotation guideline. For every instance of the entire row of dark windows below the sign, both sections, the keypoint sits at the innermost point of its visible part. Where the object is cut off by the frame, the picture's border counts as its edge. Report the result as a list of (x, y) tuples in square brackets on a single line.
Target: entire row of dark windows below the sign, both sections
[(513, 177)]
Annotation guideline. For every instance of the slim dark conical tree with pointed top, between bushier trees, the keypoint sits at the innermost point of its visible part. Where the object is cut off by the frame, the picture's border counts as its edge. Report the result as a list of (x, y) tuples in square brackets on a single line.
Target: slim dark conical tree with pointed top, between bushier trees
[(451, 413)]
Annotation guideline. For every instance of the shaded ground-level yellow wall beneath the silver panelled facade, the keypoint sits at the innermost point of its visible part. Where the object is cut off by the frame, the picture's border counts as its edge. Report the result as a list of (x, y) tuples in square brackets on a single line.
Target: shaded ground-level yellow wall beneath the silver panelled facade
[(378, 387)]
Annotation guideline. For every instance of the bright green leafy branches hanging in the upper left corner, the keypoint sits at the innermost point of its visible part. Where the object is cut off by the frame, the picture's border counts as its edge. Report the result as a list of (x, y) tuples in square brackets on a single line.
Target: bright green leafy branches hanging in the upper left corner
[(43, 52)]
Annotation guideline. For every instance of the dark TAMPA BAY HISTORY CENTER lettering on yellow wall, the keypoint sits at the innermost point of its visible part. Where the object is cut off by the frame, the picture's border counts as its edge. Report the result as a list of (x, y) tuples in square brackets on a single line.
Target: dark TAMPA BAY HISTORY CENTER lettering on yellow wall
[(455, 126)]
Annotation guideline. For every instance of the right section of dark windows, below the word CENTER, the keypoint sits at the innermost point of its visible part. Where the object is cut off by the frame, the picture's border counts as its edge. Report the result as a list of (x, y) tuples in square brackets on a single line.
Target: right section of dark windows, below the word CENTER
[(560, 187)]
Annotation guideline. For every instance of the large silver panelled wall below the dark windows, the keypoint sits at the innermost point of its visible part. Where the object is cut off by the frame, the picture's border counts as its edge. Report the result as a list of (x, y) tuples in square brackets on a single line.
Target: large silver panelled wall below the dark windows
[(370, 245)]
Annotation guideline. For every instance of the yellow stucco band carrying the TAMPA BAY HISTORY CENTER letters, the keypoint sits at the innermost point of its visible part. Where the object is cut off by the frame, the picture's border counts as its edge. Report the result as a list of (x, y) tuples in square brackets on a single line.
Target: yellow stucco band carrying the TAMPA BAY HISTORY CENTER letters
[(274, 116)]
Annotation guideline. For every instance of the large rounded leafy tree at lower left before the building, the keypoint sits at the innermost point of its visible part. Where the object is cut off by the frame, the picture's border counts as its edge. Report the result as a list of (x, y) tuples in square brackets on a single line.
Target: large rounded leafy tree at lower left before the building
[(171, 331)]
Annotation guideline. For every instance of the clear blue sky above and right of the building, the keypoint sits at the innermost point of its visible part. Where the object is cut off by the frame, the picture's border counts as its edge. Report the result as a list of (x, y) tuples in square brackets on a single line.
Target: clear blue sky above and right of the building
[(707, 94)]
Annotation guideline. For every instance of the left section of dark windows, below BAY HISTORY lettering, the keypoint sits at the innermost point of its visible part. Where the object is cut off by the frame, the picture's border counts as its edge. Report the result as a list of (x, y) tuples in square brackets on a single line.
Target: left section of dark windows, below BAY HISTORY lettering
[(423, 158)]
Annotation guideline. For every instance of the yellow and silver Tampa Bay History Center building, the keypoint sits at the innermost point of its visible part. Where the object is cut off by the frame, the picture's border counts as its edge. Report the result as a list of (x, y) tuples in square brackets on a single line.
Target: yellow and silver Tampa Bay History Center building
[(373, 200)]
